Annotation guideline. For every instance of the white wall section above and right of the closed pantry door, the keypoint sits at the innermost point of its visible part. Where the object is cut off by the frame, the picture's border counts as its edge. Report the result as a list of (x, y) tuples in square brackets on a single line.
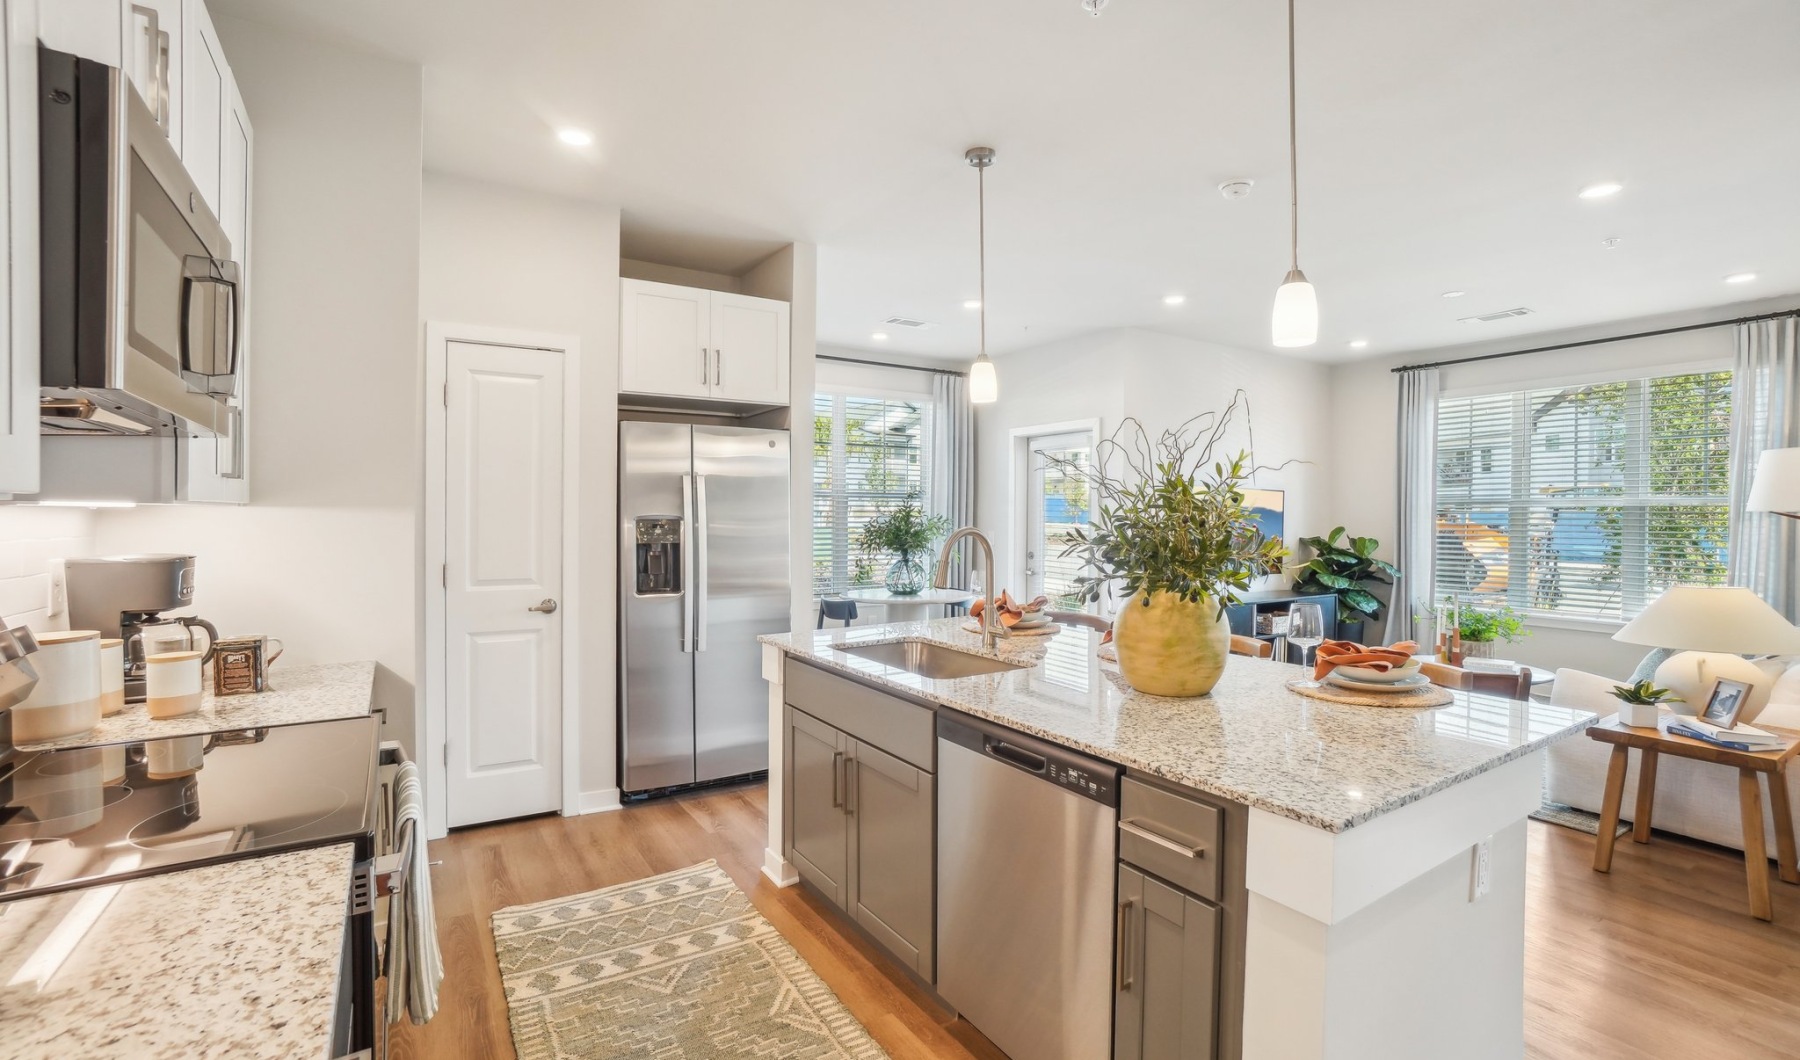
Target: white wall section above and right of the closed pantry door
[(501, 258)]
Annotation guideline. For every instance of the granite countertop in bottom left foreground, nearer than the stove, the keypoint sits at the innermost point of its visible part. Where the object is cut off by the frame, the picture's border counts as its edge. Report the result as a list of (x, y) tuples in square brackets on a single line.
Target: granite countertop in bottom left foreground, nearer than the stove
[(235, 960)]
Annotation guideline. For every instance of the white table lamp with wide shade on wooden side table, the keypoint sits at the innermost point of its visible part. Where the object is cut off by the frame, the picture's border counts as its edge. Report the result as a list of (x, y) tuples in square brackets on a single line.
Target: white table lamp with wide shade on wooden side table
[(1713, 631)]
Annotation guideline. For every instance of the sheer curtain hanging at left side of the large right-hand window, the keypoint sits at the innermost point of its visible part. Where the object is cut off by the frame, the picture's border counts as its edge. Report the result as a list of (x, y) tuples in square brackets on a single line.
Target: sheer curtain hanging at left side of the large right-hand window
[(1417, 444)]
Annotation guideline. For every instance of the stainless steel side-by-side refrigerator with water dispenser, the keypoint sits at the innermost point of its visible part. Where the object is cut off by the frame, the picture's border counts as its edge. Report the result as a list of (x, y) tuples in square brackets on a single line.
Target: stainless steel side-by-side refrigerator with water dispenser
[(705, 571)]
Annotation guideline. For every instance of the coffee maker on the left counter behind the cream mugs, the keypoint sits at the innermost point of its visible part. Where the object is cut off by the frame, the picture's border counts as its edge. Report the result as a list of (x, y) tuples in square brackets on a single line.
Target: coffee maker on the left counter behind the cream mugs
[(123, 595)]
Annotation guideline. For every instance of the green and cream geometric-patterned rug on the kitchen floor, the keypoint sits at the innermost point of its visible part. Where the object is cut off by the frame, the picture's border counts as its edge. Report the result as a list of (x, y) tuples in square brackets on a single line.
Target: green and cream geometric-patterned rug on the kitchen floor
[(672, 967)]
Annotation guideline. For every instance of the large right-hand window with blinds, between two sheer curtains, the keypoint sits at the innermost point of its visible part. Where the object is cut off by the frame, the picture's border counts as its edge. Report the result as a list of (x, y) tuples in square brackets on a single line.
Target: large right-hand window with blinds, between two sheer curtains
[(1585, 501)]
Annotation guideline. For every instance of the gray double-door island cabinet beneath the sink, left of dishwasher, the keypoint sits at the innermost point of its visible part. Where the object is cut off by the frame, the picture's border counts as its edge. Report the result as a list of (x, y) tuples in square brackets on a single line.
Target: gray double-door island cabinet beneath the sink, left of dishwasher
[(861, 814)]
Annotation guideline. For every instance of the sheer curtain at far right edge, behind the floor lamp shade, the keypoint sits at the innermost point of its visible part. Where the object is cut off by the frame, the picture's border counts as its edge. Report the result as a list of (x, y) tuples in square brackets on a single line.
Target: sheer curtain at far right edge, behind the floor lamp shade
[(1765, 553)]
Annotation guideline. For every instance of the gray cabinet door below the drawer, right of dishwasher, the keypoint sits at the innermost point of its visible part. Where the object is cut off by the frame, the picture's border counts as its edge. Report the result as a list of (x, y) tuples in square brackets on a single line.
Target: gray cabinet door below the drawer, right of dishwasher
[(1167, 978)]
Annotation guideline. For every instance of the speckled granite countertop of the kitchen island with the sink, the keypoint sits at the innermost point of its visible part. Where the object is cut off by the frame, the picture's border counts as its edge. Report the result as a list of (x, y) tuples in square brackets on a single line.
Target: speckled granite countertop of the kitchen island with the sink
[(1252, 741)]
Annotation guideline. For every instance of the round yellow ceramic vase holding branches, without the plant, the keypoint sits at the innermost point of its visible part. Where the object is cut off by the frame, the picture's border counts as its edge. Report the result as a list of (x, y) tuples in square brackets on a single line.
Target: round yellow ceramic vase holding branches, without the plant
[(1173, 649)]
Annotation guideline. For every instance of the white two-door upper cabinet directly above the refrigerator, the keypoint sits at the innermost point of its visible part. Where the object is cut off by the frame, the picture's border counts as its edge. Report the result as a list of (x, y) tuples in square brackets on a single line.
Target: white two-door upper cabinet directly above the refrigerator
[(690, 343)]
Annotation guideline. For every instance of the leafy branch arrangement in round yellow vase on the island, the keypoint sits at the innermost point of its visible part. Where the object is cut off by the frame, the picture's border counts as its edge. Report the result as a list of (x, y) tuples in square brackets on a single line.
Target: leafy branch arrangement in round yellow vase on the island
[(1173, 532)]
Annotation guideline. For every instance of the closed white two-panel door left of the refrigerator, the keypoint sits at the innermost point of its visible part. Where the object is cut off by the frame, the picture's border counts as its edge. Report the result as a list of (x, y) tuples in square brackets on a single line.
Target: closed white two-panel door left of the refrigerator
[(503, 579)]
